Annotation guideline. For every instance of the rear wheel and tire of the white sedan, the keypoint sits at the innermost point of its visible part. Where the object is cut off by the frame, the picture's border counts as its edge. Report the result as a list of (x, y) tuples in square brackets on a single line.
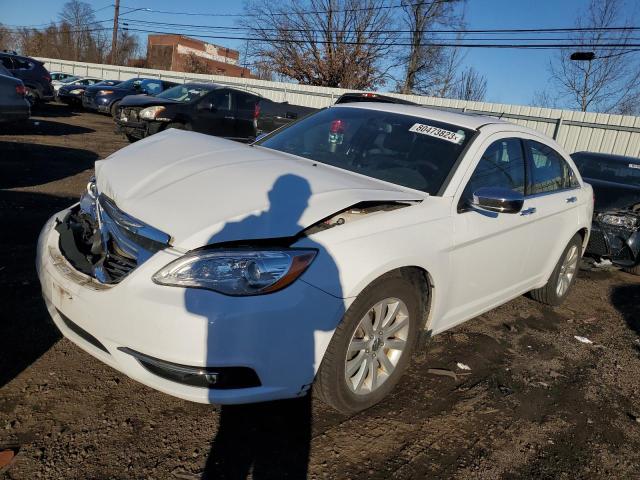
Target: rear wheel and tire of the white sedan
[(563, 276)]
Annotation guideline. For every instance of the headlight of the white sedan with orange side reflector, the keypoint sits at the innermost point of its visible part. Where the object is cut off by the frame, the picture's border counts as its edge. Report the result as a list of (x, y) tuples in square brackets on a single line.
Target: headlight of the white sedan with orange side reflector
[(237, 271)]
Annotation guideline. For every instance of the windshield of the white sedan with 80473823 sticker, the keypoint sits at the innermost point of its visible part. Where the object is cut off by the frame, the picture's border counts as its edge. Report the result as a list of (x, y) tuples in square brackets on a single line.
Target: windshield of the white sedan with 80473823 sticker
[(410, 151)]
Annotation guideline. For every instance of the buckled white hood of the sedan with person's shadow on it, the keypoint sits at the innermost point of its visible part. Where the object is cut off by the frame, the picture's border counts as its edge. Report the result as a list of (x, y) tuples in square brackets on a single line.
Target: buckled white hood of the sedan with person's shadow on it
[(202, 190)]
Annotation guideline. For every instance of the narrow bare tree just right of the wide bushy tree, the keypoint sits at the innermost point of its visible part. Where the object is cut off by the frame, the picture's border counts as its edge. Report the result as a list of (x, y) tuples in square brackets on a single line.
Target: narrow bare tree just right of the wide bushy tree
[(428, 68)]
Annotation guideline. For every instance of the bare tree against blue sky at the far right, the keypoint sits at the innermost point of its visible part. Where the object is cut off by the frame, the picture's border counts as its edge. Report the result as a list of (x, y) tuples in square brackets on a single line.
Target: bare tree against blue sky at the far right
[(608, 83)]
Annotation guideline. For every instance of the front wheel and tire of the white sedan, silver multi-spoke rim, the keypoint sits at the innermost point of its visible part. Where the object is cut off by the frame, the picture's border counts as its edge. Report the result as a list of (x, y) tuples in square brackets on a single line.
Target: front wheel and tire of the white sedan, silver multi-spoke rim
[(372, 346)]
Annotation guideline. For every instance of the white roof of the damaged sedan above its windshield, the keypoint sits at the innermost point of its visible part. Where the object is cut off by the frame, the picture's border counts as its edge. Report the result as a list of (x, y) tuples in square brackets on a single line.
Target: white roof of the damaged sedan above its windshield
[(465, 120)]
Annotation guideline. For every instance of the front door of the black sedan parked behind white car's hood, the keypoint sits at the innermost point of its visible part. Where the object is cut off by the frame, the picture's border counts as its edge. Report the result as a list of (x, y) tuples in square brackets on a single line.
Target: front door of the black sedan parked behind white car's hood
[(214, 114)]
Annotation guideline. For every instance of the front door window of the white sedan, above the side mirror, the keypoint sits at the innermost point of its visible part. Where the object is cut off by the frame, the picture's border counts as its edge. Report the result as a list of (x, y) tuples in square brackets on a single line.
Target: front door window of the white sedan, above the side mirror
[(502, 165)]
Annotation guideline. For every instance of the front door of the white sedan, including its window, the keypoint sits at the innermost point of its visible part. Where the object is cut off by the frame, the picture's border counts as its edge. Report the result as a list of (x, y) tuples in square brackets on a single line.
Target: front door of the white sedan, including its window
[(490, 249)]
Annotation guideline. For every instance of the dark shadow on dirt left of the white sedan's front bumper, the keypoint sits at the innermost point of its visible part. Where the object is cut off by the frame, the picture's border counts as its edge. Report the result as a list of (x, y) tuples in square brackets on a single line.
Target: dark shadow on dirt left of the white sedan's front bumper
[(26, 331)]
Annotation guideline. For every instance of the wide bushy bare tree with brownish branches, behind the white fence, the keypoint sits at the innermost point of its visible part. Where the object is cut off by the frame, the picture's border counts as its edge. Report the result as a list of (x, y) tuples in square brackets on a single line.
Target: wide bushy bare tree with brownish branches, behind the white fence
[(332, 43)]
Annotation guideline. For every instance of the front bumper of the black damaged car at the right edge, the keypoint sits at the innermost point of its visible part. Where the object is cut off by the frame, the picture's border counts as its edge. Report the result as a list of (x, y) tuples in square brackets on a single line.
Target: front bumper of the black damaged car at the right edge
[(621, 246)]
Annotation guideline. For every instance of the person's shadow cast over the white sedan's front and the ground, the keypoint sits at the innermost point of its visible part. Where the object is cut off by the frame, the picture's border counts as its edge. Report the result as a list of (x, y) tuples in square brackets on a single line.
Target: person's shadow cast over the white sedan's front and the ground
[(267, 440)]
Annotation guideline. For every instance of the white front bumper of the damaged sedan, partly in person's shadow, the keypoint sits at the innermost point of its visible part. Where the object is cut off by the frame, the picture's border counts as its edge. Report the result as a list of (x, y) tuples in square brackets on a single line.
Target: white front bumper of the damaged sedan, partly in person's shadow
[(282, 336)]
